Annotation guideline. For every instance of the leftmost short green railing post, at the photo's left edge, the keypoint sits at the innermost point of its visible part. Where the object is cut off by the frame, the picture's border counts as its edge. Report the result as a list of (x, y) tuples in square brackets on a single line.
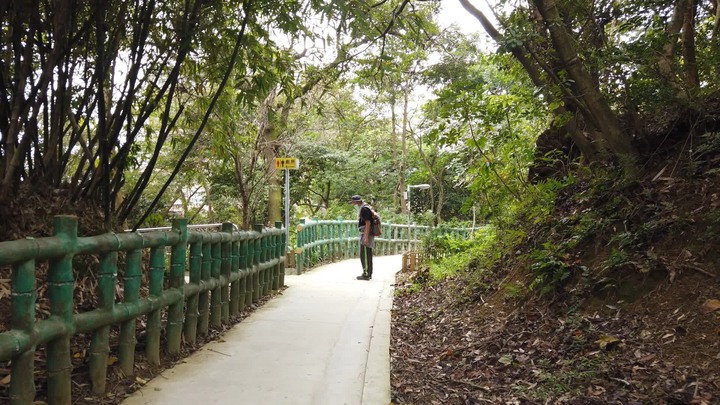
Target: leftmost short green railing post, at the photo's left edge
[(22, 374)]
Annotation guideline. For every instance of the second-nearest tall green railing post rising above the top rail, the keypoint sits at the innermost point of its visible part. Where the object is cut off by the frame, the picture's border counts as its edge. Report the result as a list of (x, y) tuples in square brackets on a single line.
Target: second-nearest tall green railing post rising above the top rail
[(178, 261)]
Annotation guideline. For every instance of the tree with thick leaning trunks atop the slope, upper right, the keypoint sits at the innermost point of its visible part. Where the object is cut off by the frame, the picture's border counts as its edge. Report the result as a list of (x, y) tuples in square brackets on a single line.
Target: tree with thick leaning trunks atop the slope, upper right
[(579, 52)]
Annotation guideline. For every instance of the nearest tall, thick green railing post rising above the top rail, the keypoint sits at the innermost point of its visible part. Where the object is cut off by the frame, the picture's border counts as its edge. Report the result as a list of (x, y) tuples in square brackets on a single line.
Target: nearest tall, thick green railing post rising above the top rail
[(60, 291)]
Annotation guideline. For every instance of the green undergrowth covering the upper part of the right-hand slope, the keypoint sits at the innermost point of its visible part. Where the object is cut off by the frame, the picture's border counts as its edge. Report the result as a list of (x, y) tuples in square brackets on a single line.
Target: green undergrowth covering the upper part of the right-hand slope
[(595, 230)]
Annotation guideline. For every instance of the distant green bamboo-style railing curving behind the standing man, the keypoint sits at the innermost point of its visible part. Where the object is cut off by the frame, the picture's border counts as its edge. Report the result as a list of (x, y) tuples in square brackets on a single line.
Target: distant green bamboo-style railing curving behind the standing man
[(327, 241)]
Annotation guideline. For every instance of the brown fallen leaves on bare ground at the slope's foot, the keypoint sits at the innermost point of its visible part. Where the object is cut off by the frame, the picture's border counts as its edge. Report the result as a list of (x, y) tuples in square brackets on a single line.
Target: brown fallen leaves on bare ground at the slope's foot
[(660, 350)]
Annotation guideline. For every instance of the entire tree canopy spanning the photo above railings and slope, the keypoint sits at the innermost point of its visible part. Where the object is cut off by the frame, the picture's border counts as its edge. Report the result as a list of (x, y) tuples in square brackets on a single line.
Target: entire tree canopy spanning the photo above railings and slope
[(145, 104)]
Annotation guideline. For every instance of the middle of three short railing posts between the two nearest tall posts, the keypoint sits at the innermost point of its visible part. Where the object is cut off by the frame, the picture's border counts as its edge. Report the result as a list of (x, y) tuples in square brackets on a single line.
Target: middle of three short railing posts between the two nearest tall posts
[(132, 279)]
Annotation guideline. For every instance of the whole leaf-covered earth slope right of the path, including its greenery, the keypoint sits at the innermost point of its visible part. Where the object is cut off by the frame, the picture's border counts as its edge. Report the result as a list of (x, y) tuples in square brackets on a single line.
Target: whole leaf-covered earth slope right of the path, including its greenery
[(611, 299)]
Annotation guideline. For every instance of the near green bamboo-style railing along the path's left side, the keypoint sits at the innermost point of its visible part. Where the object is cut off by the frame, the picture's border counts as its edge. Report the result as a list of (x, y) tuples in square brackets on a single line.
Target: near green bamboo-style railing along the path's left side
[(228, 270)]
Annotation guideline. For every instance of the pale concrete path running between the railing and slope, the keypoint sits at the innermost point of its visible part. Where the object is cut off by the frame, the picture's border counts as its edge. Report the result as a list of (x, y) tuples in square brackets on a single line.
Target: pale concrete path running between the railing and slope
[(324, 341)]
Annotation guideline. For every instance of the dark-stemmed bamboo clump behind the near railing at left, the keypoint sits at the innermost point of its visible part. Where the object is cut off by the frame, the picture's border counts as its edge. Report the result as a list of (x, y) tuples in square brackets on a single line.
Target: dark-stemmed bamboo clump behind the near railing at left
[(90, 77)]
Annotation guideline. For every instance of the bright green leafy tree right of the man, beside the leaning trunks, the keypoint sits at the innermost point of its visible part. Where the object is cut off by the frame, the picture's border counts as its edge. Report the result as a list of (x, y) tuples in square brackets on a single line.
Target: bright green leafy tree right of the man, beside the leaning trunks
[(486, 117)]
